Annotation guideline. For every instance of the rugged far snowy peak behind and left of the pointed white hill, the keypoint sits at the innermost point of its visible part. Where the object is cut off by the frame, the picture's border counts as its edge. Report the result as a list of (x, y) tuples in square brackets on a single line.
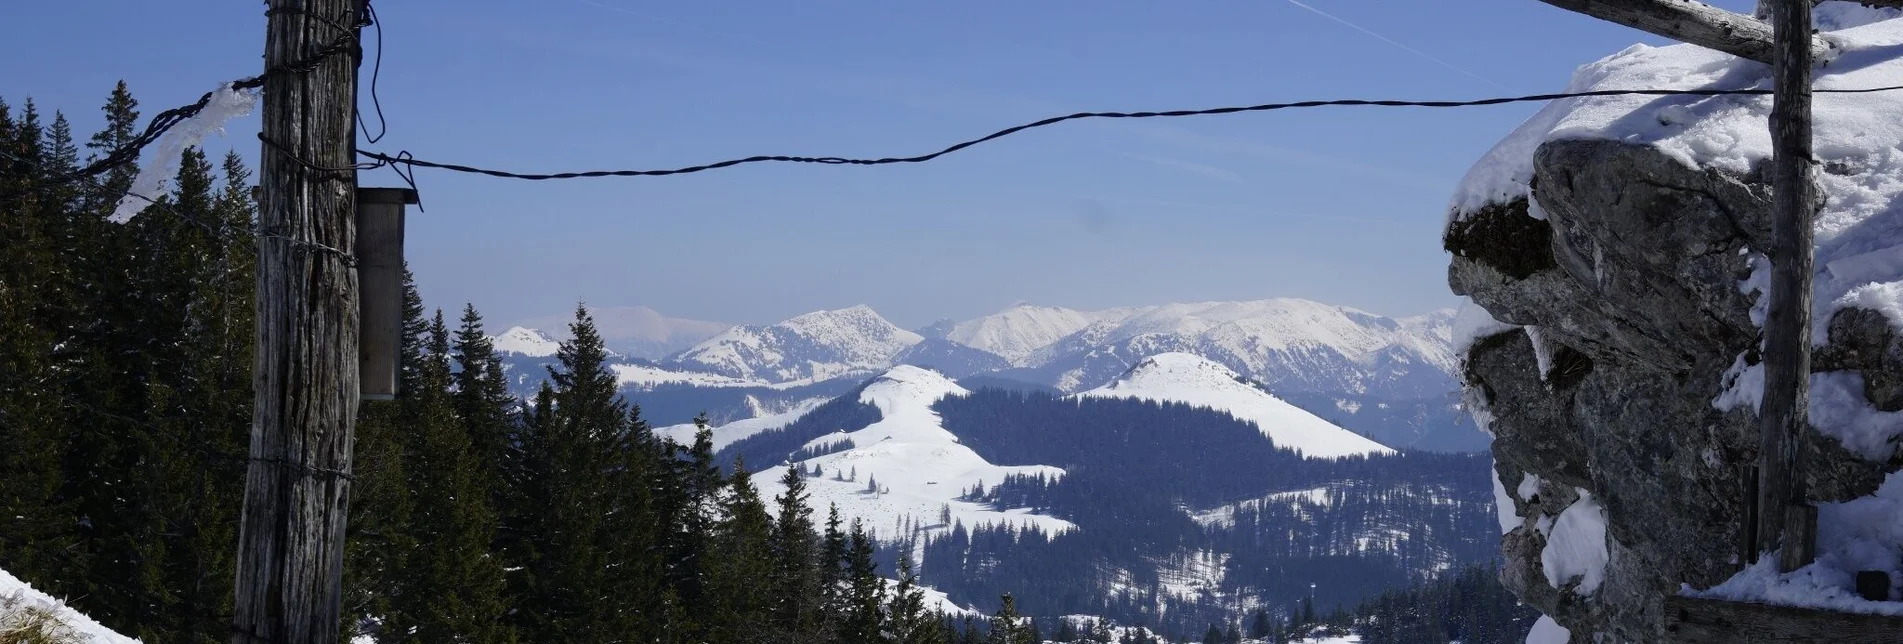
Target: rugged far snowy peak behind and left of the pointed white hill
[(815, 346)]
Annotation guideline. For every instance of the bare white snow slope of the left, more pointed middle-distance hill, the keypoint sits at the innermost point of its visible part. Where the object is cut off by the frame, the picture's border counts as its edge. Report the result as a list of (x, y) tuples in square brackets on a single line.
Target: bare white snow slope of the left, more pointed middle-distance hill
[(918, 466)]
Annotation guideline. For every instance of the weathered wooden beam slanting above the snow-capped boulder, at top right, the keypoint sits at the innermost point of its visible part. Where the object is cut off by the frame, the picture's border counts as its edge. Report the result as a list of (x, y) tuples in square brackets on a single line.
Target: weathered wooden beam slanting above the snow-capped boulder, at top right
[(1691, 22)]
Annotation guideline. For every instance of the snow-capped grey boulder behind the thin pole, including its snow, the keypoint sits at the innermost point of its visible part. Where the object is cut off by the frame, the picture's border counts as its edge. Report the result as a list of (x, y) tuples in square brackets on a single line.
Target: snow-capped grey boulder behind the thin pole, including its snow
[(1630, 231)]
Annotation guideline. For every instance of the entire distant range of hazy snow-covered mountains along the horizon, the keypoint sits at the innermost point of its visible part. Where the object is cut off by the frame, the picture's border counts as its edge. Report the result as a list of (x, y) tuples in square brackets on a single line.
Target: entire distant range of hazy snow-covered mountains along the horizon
[(1383, 378)]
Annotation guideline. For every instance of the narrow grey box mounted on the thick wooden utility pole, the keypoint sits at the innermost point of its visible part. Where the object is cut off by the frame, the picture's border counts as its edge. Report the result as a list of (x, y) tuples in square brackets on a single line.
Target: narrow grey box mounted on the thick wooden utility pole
[(380, 254)]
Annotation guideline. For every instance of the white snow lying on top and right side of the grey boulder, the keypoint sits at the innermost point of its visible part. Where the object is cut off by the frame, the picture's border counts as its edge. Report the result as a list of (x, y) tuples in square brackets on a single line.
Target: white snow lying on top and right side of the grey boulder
[(1858, 243)]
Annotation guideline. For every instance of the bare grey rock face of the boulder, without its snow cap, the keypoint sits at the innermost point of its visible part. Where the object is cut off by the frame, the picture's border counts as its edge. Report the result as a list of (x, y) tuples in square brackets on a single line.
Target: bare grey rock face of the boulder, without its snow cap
[(1624, 272)]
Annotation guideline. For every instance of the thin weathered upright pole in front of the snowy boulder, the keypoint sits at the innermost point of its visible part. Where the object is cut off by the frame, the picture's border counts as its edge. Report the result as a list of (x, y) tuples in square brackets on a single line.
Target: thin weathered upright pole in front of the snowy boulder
[(1786, 519)]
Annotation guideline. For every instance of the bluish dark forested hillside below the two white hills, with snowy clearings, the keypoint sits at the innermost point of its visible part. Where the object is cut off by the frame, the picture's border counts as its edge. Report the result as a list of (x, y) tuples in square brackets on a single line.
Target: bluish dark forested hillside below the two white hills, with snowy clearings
[(1185, 515)]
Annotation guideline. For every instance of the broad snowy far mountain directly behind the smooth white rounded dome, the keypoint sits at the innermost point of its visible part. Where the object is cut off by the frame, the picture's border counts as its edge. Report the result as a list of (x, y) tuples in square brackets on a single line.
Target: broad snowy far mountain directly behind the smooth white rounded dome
[(1285, 344)]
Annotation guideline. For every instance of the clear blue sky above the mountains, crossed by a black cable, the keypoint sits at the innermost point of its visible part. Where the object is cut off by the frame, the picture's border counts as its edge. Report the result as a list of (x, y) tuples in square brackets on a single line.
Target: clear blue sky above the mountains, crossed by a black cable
[(1337, 205)]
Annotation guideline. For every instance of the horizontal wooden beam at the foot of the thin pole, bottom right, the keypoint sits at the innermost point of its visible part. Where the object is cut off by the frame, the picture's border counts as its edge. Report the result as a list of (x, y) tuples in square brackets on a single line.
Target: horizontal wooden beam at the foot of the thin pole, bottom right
[(1702, 620)]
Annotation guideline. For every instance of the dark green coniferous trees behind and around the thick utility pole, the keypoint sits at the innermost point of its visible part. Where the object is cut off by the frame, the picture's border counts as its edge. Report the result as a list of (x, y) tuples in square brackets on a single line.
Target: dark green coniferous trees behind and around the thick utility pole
[(477, 517)]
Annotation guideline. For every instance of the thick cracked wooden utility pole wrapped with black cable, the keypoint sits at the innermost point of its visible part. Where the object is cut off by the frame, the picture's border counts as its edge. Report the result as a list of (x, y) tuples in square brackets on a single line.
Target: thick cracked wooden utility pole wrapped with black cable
[(298, 483)]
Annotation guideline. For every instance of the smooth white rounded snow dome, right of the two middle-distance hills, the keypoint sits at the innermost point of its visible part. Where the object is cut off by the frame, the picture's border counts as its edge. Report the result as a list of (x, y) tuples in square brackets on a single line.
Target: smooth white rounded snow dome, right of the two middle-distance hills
[(1198, 382)]
